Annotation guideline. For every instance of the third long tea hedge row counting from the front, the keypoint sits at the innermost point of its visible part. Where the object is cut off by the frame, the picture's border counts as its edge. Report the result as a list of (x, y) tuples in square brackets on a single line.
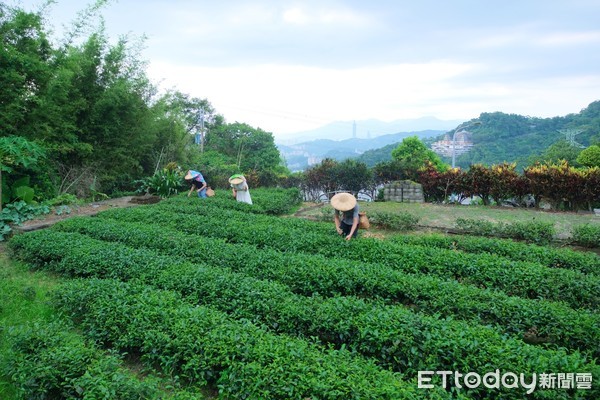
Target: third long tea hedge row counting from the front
[(314, 274)]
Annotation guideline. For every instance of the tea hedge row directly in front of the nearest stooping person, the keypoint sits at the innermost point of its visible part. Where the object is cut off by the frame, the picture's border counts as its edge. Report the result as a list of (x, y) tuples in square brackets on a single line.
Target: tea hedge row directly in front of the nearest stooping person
[(526, 279)]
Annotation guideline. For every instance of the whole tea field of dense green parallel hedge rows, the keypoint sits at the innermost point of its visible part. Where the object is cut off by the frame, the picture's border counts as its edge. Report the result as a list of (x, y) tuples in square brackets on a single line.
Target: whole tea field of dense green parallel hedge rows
[(228, 297)]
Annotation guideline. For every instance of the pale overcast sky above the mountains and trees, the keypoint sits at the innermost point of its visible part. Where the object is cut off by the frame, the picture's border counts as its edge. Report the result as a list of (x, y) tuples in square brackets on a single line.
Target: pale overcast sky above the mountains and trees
[(288, 66)]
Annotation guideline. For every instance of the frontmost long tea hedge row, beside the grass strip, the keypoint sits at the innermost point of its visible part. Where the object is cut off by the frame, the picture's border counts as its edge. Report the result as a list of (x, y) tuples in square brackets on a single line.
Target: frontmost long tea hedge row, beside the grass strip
[(201, 345)]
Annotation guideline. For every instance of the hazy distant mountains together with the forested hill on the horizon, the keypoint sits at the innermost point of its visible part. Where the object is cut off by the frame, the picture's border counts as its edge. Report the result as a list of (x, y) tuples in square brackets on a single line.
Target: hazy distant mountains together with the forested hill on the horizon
[(497, 138)]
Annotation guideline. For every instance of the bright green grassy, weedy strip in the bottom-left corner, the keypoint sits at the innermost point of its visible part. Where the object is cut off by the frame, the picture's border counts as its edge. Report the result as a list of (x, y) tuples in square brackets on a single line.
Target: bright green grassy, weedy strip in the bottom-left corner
[(26, 315)]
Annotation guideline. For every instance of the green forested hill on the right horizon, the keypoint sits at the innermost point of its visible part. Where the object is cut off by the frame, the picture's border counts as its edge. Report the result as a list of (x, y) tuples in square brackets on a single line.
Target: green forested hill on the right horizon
[(514, 138)]
